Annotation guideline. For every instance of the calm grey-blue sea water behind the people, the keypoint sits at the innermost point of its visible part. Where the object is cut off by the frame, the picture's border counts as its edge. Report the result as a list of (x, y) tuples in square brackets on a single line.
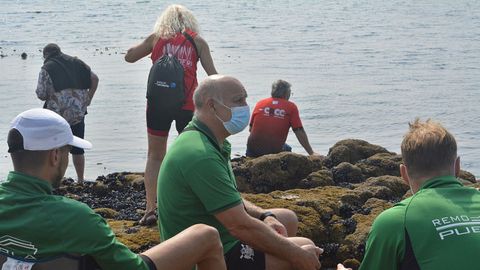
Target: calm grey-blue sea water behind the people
[(359, 69)]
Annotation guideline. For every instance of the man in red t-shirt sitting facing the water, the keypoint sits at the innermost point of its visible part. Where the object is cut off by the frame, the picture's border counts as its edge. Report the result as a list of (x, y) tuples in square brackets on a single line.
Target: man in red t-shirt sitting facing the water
[(271, 120)]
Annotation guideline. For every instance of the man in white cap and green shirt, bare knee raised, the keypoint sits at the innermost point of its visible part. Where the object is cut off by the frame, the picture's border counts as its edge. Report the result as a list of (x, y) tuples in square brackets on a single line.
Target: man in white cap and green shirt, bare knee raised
[(38, 228)]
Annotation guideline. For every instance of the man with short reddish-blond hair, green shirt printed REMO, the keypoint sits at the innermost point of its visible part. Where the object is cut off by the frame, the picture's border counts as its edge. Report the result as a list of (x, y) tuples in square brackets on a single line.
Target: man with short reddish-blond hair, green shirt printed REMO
[(437, 227)]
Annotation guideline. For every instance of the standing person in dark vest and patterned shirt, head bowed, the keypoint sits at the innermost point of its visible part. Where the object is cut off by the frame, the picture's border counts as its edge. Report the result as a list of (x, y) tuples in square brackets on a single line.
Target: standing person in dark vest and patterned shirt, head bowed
[(67, 86)]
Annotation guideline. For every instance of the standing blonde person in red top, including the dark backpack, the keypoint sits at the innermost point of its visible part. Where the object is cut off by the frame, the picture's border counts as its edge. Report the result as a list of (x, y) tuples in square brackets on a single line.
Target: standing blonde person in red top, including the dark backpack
[(175, 49)]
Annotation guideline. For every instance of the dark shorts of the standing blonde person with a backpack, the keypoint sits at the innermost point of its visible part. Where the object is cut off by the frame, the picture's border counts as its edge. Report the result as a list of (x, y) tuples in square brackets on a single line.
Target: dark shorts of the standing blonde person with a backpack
[(159, 122)]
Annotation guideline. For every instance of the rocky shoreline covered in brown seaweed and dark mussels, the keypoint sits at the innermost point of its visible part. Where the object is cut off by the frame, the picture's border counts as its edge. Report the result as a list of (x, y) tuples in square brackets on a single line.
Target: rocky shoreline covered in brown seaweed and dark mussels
[(336, 198)]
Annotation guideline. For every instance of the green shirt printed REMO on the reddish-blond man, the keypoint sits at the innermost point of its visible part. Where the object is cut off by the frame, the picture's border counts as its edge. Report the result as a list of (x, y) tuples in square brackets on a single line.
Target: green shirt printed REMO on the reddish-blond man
[(437, 228)]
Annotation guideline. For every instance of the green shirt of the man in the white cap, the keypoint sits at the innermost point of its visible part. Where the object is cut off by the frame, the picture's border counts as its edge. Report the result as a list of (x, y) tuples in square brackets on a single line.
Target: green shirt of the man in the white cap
[(37, 225)]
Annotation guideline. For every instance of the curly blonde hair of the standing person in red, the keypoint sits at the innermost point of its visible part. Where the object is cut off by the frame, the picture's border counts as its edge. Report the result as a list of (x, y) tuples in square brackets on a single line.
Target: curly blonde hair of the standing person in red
[(175, 19)]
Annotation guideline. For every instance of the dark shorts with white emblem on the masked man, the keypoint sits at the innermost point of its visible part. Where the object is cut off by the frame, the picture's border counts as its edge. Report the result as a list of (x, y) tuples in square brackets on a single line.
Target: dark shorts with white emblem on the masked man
[(243, 257)]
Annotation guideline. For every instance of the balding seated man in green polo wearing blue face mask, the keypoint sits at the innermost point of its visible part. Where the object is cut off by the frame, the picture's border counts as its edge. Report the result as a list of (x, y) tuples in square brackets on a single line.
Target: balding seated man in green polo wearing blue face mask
[(196, 184)]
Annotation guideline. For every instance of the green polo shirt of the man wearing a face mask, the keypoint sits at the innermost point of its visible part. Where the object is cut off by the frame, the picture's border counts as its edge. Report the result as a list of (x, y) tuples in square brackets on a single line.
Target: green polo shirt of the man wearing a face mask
[(196, 182)]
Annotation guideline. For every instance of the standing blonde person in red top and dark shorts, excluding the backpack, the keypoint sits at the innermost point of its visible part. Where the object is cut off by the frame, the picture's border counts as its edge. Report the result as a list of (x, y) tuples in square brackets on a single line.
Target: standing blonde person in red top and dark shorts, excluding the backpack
[(169, 37)]
